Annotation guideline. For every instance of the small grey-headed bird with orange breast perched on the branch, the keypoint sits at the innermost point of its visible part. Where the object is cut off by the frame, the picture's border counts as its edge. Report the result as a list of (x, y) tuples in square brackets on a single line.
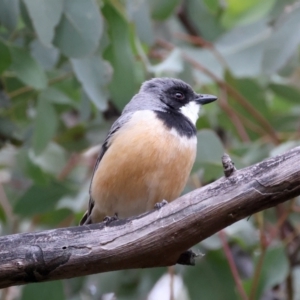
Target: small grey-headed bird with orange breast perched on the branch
[(148, 153)]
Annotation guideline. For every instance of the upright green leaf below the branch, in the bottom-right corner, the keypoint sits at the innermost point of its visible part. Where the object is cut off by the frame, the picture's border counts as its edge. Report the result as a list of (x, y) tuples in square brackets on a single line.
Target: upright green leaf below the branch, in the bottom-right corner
[(274, 271)]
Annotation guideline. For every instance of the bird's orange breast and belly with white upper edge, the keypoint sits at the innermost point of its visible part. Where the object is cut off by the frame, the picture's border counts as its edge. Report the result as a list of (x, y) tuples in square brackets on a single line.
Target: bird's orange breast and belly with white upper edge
[(145, 163)]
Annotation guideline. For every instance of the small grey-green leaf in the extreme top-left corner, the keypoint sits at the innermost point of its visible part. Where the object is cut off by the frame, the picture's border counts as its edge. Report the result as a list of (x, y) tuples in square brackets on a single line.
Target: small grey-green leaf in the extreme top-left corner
[(9, 13)]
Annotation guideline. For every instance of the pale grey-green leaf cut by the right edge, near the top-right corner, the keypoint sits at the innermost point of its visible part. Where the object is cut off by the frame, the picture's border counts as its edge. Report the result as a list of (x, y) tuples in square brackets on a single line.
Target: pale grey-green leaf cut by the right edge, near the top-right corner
[(283, 42)]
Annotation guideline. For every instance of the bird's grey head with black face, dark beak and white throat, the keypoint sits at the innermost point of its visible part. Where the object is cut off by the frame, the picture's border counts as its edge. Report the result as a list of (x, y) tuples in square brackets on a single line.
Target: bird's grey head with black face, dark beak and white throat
[(169, 96)]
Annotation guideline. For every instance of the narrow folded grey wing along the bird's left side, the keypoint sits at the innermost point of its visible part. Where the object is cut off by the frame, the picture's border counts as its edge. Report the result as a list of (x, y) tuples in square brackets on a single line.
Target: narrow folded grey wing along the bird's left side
[(86, 219)]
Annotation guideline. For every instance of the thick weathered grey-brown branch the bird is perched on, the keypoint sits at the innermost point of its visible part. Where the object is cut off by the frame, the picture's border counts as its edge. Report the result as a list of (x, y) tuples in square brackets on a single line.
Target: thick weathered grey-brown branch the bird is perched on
[(154, 239)]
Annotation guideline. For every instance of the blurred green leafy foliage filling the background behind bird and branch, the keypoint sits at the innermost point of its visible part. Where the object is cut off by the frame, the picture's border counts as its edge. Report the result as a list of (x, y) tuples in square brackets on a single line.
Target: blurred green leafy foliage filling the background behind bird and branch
[(68, 67)]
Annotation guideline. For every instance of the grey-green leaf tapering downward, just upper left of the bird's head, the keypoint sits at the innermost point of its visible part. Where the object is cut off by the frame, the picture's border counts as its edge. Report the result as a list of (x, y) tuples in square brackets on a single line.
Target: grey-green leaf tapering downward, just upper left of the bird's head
[(94, 74)]
